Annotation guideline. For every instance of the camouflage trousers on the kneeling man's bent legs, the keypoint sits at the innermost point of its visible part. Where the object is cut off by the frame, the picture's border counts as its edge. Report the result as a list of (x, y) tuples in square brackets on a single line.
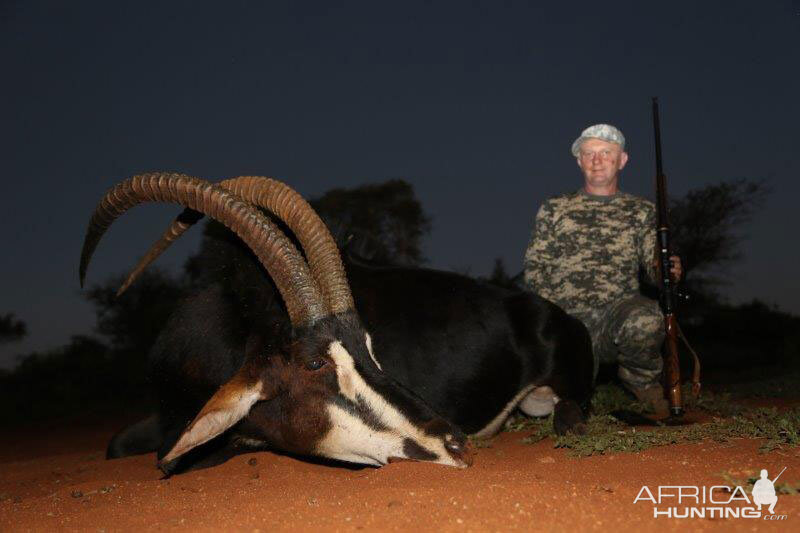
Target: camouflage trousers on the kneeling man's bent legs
[(630, 333)]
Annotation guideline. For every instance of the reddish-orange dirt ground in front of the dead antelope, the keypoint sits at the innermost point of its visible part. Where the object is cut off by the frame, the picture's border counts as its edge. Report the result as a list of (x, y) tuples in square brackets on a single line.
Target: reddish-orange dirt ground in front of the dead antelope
[(54, 477)]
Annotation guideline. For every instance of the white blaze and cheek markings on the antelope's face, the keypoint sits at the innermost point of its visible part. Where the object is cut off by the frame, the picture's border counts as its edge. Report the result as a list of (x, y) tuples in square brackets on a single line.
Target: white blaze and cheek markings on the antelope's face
[(346, 435)]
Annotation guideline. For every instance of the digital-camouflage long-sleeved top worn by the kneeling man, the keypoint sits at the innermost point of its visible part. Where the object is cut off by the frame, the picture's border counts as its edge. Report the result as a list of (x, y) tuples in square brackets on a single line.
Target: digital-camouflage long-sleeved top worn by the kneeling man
[(586, 251)]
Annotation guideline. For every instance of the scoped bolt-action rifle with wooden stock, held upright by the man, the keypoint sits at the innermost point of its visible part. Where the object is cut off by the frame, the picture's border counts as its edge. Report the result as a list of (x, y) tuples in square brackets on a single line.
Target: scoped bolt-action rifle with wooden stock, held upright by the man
[(668, 292)]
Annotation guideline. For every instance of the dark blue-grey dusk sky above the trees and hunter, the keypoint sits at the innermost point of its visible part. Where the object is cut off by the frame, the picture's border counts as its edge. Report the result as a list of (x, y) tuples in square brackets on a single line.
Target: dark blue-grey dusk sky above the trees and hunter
[(475, 104)]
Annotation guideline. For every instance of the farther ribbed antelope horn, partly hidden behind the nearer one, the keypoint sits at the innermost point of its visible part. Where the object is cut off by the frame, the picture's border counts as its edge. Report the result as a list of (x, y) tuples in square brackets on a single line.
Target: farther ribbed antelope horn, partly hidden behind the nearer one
[(283, 201)]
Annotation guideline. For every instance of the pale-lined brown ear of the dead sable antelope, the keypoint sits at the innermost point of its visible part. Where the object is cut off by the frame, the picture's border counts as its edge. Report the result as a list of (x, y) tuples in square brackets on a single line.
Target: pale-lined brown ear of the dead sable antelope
[(226, 407)]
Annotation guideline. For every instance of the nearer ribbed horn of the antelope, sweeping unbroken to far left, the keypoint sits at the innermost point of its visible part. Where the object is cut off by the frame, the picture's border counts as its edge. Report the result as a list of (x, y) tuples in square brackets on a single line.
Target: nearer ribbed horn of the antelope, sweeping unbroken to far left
[(277, 254)]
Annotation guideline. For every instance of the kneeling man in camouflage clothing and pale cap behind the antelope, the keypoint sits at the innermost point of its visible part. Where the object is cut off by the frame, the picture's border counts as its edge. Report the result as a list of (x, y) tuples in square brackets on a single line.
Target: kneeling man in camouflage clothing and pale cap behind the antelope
[(586, 251)]
